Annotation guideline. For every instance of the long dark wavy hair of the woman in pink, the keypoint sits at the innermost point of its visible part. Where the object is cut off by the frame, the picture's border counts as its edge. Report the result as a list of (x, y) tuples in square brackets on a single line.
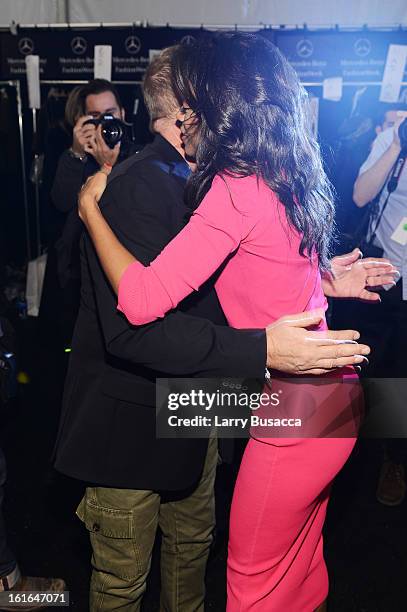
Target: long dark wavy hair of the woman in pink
[(253, 119)]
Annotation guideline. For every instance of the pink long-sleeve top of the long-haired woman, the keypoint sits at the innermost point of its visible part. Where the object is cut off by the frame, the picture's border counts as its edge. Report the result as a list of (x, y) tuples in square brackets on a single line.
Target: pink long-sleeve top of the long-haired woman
[(242, 224)]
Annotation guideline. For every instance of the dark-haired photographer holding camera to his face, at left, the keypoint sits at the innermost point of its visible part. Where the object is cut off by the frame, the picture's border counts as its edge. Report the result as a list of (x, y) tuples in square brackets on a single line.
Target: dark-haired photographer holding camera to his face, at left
[(88, 152)]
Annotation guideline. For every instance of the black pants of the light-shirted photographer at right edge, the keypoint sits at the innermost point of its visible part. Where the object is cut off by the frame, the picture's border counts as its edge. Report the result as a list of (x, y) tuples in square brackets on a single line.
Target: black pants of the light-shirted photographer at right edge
[(384, 328)]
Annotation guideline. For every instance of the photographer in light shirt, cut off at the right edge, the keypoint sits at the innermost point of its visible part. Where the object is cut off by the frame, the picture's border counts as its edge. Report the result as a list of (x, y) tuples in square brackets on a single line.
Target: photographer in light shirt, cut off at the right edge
[(386, 328)]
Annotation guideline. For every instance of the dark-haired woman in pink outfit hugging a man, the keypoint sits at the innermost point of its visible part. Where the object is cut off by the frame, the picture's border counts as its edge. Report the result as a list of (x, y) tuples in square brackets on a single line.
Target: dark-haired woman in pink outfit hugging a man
[(263, 216)]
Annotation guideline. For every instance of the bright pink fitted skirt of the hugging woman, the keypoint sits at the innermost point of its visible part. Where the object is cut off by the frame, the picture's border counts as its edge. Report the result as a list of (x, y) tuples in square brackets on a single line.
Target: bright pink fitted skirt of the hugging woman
[(275, 561)]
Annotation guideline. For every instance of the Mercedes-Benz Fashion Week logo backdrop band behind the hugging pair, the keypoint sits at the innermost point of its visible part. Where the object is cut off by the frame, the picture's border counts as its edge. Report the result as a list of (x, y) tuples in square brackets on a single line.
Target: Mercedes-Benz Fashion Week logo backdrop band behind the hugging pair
[(68, 54)]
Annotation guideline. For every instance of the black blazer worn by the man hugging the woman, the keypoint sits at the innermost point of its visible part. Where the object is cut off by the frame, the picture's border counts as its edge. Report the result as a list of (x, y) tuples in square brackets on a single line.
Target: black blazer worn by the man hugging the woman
[(107, 428)]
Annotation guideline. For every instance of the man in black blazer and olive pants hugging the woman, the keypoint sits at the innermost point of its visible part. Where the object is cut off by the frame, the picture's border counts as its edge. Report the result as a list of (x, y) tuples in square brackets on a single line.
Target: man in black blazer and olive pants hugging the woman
[(138, 482)]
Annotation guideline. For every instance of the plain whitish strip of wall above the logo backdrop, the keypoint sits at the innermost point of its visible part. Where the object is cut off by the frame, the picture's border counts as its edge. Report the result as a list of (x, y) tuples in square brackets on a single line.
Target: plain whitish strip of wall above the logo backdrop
[(226, 12)]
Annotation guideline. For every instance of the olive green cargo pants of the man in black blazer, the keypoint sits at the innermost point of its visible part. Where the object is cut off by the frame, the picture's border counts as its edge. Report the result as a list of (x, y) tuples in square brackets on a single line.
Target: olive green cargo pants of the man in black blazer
[(122, 524)]
